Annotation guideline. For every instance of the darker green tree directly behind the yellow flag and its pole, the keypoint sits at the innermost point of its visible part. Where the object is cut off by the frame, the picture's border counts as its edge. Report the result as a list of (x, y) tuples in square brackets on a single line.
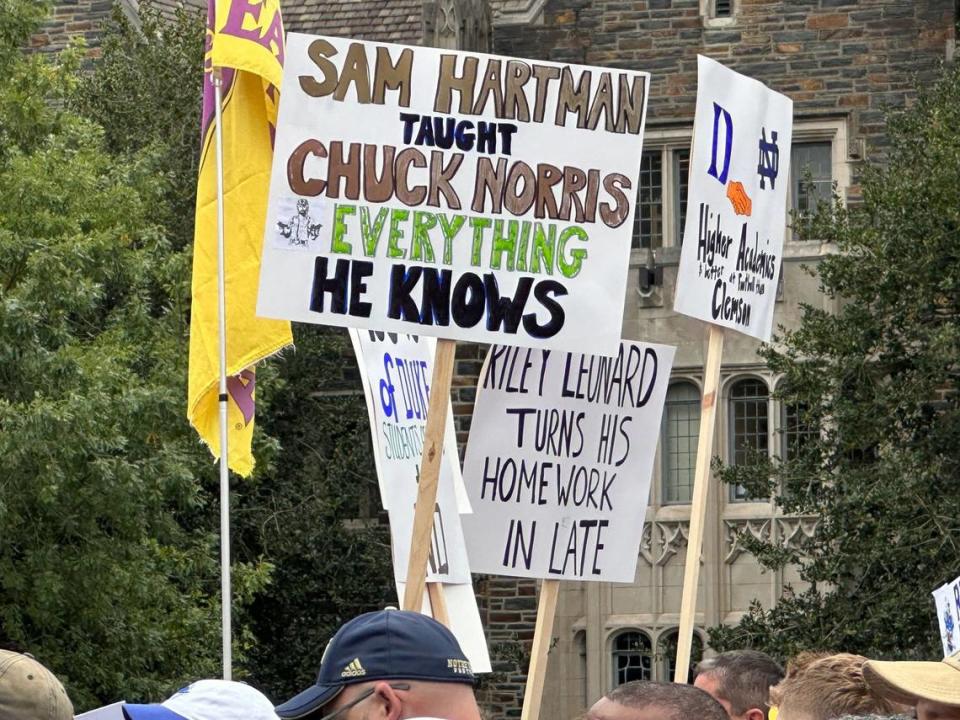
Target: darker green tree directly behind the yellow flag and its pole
[(311, 510)]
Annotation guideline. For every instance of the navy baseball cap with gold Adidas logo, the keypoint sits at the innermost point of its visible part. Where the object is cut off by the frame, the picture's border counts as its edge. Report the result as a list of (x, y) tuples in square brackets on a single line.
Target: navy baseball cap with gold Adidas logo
[(384, 645)]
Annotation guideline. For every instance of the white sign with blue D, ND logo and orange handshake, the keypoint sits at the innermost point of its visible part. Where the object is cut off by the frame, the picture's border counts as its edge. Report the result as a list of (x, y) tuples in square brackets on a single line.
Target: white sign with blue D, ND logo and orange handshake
[(736, 203)]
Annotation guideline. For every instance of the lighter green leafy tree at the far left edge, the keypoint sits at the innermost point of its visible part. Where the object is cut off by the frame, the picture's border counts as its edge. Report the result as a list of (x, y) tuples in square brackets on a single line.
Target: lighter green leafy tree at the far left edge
[(108, 570)]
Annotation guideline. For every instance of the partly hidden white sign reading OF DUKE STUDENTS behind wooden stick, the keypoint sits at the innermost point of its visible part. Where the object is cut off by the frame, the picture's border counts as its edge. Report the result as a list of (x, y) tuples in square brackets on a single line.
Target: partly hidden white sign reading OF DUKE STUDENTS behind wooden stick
[(395, 371)]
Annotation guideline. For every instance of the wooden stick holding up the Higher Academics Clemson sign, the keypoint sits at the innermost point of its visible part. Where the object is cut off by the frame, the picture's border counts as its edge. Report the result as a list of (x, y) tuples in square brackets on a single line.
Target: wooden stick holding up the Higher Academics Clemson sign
[(698, 507)]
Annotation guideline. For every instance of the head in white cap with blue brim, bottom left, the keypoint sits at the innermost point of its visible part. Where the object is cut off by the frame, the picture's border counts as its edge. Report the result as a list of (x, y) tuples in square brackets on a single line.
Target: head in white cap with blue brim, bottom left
[(207, 700)]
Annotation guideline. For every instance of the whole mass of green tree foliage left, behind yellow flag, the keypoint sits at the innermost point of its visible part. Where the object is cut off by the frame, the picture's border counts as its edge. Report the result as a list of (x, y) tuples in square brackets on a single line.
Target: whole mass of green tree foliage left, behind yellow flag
[(109, 571)]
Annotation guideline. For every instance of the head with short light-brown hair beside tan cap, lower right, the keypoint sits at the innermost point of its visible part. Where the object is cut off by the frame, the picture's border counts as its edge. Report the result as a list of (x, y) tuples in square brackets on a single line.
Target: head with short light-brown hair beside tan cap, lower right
[(825, 687)]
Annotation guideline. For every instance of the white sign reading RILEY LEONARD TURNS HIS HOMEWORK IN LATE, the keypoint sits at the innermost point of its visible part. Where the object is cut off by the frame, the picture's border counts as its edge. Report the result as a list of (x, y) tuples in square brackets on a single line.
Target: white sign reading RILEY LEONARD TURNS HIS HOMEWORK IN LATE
[(559, 461)]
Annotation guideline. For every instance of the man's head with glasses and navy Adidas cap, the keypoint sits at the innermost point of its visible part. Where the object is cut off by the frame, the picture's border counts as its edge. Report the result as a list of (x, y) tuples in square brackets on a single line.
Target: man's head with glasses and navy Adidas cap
[(388, 665)]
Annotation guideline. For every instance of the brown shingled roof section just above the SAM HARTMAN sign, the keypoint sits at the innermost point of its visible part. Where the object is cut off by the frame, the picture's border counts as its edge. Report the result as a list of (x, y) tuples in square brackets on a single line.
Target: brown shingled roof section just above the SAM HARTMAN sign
[(399, 21)]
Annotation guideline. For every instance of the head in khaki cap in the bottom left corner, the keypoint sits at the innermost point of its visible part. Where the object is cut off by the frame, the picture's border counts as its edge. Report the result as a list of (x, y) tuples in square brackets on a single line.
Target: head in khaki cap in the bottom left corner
[(28, 691)]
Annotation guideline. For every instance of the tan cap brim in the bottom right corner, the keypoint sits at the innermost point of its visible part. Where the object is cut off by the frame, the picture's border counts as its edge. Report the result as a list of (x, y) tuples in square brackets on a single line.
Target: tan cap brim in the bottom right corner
[(907, 682)]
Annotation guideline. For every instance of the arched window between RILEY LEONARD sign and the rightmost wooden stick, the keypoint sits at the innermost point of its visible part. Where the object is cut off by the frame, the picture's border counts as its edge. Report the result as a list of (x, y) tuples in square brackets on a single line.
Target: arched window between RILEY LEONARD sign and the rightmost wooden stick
[(681, 428)]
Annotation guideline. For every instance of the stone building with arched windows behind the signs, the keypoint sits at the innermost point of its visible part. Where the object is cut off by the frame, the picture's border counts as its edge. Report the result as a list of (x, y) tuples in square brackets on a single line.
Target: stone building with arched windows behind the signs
[(842, 62)]
